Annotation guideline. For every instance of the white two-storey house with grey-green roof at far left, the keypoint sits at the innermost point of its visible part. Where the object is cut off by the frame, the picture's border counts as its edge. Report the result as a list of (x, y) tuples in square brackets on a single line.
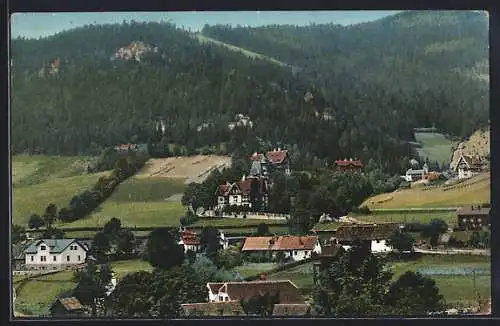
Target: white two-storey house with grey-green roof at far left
[(55, 254)]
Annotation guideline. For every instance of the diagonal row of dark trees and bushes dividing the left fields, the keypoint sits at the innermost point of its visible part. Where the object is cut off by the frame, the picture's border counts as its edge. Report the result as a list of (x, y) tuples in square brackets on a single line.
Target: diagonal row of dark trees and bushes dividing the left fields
[(84, 203)]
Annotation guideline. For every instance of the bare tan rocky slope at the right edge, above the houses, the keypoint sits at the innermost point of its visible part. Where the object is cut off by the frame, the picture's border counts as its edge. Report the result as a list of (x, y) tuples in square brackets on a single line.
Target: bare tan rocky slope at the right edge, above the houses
[(477, 145)]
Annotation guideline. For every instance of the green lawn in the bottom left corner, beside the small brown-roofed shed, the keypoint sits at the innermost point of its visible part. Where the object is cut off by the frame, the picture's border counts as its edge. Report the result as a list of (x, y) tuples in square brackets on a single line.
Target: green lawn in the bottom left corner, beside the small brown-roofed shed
[(36, 295)]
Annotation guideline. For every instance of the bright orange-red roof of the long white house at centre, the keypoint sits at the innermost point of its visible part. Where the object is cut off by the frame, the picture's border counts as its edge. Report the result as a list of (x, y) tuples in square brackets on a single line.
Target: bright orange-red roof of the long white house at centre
[(280, 243)]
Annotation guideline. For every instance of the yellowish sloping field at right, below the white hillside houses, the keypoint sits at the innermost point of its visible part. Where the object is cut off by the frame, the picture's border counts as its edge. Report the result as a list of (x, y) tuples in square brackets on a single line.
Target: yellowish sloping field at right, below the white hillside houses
[(474, 191)]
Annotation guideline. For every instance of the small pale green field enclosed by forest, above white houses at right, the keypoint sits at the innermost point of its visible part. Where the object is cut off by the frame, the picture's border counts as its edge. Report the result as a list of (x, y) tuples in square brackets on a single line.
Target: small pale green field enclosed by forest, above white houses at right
[(435, 146)]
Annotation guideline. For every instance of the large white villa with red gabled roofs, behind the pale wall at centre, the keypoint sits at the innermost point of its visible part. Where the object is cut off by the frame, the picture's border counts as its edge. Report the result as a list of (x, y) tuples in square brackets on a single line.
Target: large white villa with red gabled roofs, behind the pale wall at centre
[(239, 193)]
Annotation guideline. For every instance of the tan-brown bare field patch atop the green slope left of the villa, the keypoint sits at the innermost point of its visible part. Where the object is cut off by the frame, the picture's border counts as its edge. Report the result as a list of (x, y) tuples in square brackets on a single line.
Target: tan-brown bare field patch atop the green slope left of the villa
[(192, 168)]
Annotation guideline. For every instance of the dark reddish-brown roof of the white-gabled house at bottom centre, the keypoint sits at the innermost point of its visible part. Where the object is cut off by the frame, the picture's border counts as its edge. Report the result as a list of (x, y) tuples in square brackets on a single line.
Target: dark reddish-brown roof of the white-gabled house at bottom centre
[(288, 292)]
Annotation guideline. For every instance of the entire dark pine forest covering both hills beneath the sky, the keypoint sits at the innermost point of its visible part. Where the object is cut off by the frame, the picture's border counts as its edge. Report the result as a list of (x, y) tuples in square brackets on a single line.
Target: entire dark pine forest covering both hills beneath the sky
[(359, 93)]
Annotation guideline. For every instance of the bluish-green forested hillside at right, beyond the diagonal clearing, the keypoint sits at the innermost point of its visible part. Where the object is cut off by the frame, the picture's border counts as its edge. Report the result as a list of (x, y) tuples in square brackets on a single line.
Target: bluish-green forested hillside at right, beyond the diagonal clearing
[(415, 68)]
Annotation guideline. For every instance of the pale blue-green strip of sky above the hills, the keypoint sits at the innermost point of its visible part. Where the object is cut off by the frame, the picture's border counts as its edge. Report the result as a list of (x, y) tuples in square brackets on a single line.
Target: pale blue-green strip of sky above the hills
[(35, 25)]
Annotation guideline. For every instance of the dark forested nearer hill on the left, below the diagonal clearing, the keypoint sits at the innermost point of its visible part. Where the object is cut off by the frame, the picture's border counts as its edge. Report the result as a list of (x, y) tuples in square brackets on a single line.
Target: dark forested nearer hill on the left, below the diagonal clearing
[(198, 89)]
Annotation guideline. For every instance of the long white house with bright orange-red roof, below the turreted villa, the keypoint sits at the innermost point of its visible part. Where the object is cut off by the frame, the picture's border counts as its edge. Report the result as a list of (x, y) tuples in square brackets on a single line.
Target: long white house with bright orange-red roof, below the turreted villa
[(294, 247)]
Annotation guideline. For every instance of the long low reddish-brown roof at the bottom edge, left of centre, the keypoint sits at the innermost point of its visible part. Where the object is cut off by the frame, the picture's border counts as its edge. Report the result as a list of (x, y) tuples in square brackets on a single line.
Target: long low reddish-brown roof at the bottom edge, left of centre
[(223, 308)]
